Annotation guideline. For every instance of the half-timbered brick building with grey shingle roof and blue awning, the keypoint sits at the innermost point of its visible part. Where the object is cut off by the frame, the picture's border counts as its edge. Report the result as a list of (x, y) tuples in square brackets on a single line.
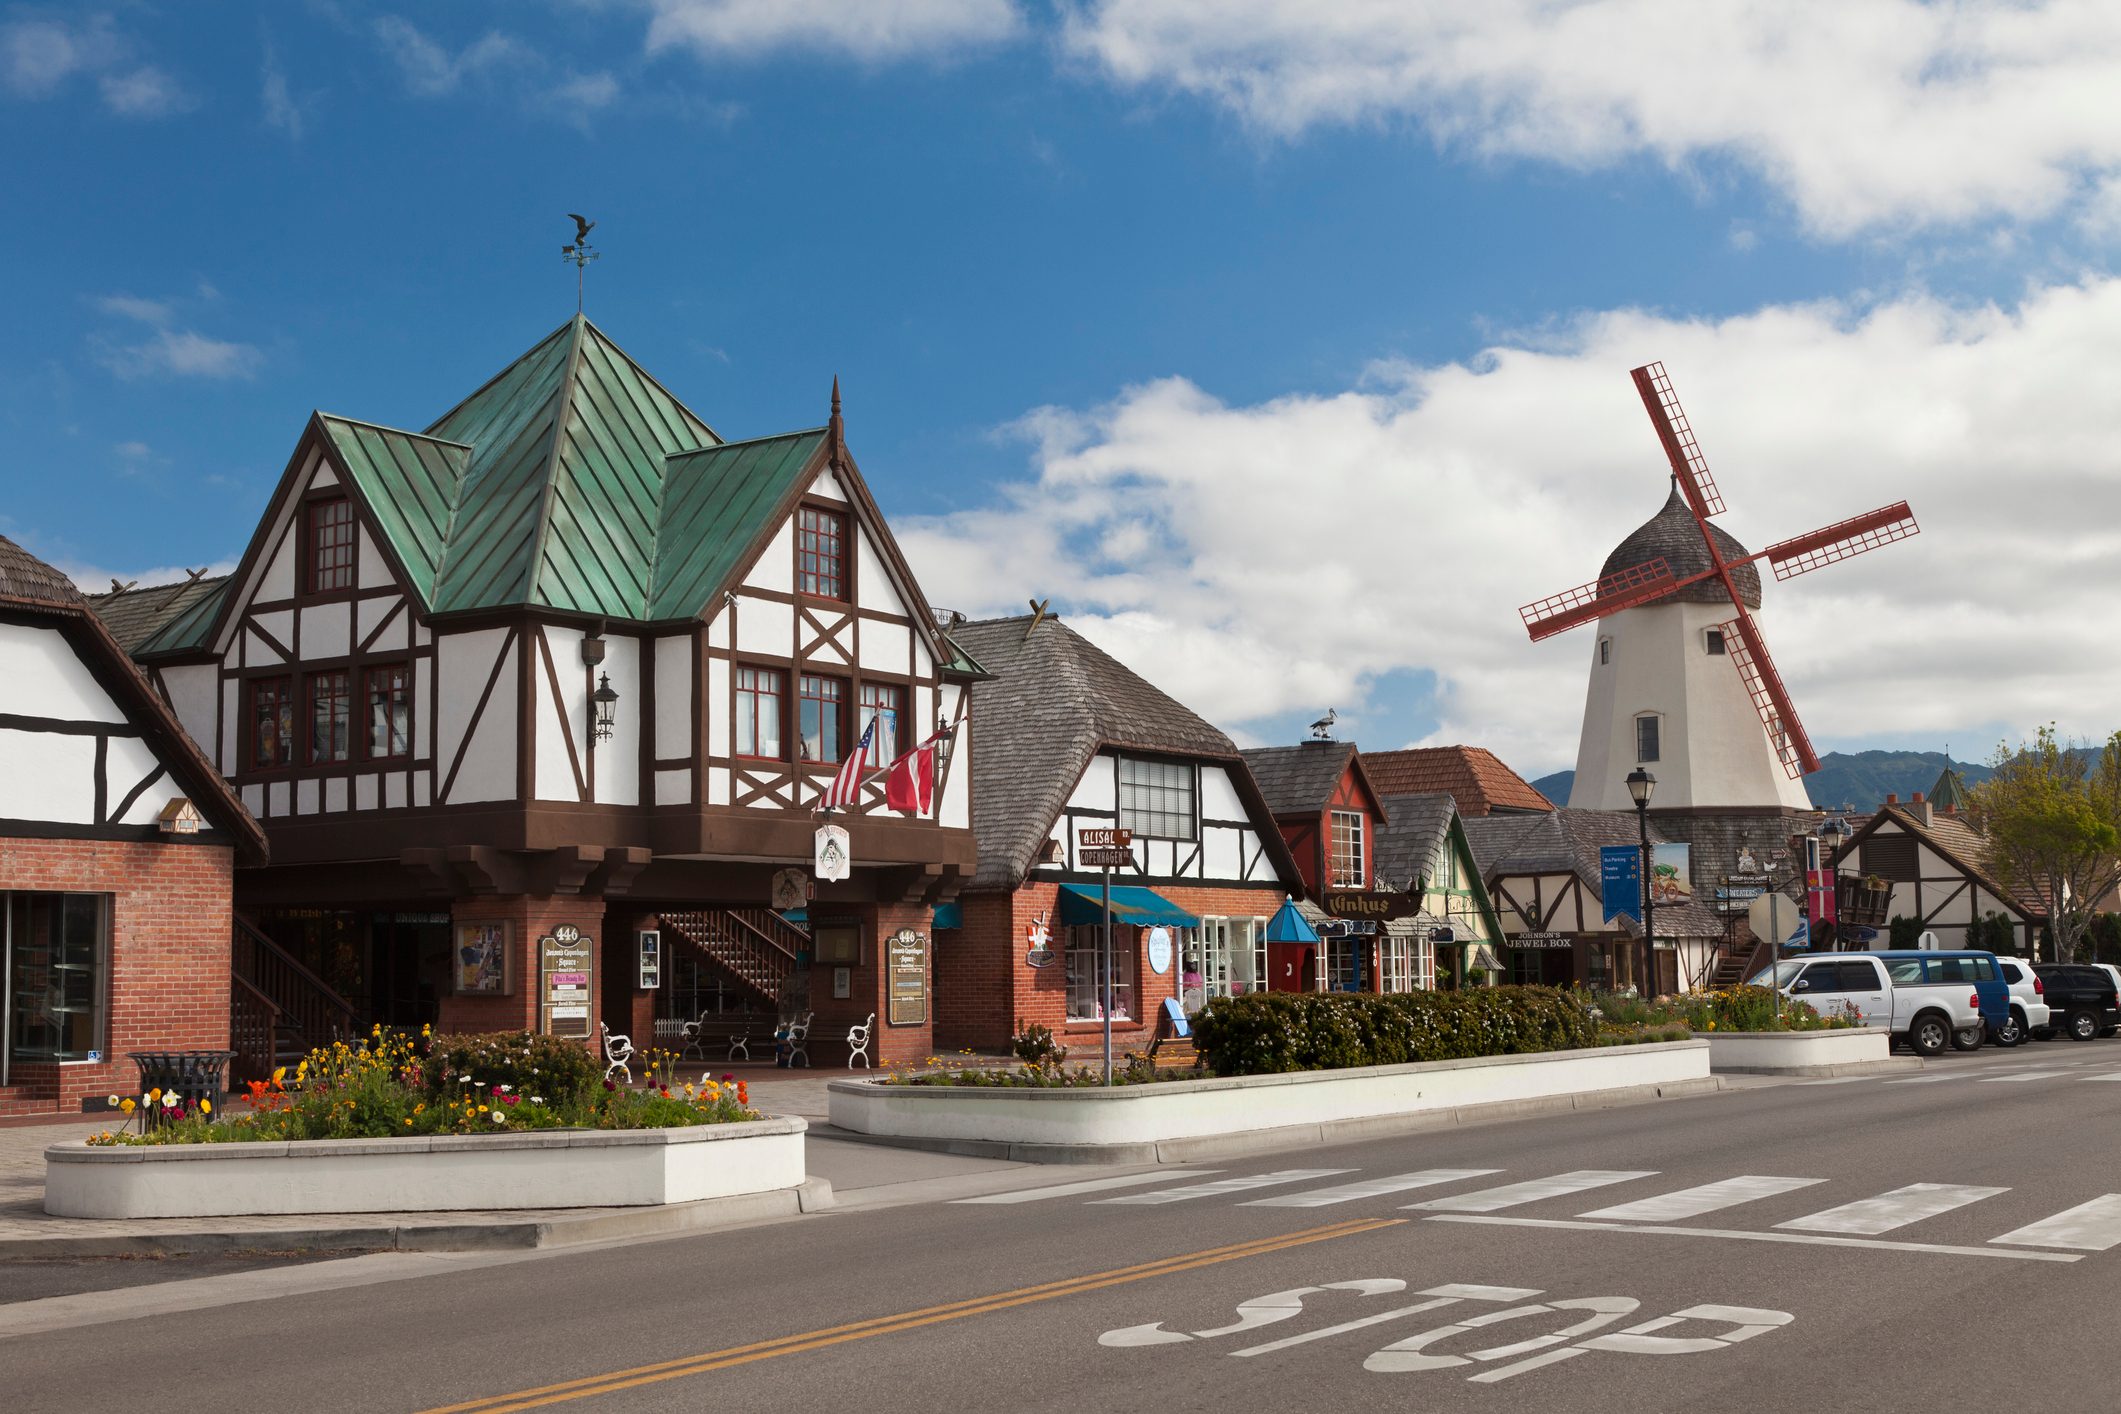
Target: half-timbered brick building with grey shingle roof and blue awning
[(1070, 743)]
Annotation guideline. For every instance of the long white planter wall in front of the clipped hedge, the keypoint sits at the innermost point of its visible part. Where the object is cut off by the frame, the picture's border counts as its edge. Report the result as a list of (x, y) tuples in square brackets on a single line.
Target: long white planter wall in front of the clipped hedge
[(1125, 1118)]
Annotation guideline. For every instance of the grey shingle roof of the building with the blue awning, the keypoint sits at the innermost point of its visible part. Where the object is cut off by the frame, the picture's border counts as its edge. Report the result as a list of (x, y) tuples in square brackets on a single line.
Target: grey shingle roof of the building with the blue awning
[(1051, 703)]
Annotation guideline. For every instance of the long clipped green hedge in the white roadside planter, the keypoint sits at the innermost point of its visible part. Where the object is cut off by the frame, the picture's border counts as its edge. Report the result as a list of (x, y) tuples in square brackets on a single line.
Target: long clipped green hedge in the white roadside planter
[(1265, 1033)]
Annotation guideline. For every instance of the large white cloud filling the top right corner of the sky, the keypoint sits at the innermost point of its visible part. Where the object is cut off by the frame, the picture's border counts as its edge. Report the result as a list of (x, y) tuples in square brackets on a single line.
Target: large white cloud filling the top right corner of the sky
[(1876, 116)]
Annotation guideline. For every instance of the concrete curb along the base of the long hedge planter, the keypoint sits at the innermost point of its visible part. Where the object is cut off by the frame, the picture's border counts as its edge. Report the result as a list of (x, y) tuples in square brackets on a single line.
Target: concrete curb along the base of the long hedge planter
[(1286, 1137)]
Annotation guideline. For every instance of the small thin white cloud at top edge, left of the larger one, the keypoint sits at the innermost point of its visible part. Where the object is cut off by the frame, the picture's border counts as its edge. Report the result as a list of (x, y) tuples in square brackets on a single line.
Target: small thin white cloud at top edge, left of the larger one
[(873, 31)]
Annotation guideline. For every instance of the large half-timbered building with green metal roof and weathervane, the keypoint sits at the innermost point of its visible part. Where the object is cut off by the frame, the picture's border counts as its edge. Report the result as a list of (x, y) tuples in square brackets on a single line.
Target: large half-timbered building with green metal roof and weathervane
[(536, 703)]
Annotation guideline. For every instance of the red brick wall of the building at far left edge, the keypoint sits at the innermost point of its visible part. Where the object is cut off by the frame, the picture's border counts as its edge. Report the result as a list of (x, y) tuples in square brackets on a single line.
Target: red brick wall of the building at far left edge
[(169, 983)]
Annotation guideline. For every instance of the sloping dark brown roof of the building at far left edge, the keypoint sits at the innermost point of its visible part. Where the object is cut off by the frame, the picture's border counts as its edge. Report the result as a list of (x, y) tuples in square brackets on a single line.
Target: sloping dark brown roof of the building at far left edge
[(35, 586)]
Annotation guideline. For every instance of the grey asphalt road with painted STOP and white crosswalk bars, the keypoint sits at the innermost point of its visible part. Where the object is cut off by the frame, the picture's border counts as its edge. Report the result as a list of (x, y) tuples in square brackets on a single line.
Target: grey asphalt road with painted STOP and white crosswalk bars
[(1887, 1243)]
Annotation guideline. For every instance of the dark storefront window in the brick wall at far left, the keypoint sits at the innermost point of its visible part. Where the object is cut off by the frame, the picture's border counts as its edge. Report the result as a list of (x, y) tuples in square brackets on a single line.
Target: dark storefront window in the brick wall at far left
[(58, 974)]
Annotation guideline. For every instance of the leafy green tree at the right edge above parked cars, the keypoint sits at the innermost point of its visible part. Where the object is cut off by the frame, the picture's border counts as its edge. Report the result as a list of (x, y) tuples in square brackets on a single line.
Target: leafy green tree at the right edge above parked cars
[(2052, 817)]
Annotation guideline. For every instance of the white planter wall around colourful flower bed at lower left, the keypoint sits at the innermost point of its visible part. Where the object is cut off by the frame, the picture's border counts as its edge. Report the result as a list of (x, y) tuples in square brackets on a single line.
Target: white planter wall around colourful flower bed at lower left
[(451, 1173)]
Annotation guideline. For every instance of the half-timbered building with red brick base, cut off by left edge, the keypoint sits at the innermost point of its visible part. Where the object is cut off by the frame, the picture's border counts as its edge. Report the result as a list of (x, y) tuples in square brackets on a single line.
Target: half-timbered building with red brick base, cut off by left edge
[(118, 853)]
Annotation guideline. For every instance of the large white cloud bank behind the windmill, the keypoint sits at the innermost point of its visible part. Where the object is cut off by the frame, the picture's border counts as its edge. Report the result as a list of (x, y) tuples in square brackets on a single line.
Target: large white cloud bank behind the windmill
[(1282, 556)]
